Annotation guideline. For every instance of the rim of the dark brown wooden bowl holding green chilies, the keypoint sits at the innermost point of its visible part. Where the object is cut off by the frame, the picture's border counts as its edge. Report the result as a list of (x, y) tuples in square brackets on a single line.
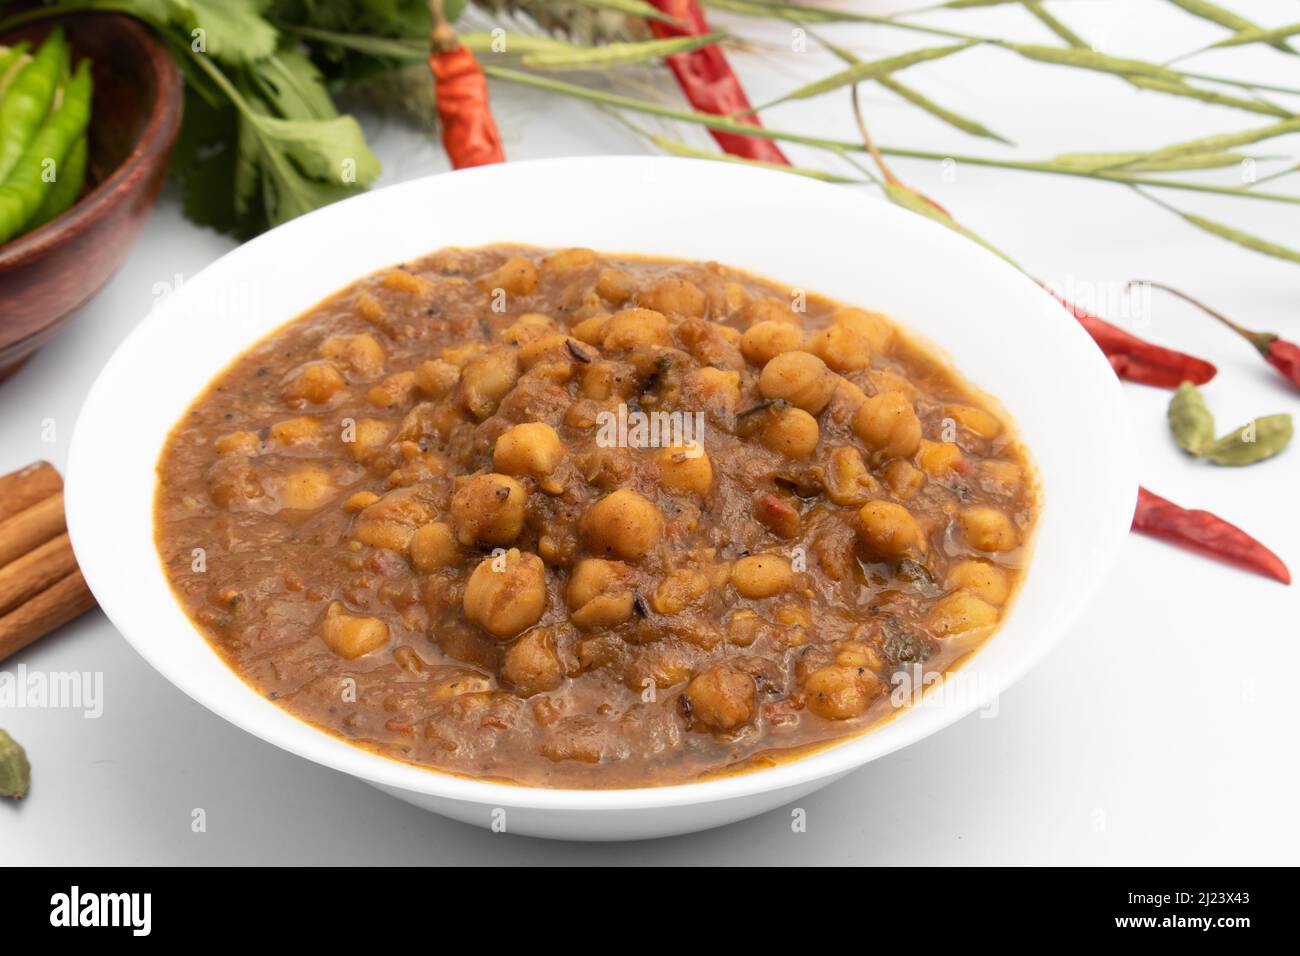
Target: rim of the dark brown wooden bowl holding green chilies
[(159, 133)]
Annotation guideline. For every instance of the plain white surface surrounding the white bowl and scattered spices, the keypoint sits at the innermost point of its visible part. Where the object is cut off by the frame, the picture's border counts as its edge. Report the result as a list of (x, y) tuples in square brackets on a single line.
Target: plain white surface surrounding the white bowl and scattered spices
[(1162, 732)]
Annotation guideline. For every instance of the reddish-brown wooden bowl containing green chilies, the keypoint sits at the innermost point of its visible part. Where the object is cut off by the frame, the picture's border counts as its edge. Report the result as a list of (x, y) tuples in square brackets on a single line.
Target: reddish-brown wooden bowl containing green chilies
[(47, 274)]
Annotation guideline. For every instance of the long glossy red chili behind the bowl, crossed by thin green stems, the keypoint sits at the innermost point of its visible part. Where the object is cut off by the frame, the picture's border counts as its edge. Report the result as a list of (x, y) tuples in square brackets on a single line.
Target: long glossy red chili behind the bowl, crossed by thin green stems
[(709, 81)]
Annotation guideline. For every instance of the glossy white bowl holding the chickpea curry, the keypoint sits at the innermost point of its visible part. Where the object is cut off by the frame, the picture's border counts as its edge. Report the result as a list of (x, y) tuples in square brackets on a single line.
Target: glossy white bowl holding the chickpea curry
[(1003, 332)]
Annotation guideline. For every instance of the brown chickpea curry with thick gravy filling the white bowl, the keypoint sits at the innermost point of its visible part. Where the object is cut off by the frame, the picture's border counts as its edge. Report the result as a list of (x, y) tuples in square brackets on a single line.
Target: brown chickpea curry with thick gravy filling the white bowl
[(574, 520)]
